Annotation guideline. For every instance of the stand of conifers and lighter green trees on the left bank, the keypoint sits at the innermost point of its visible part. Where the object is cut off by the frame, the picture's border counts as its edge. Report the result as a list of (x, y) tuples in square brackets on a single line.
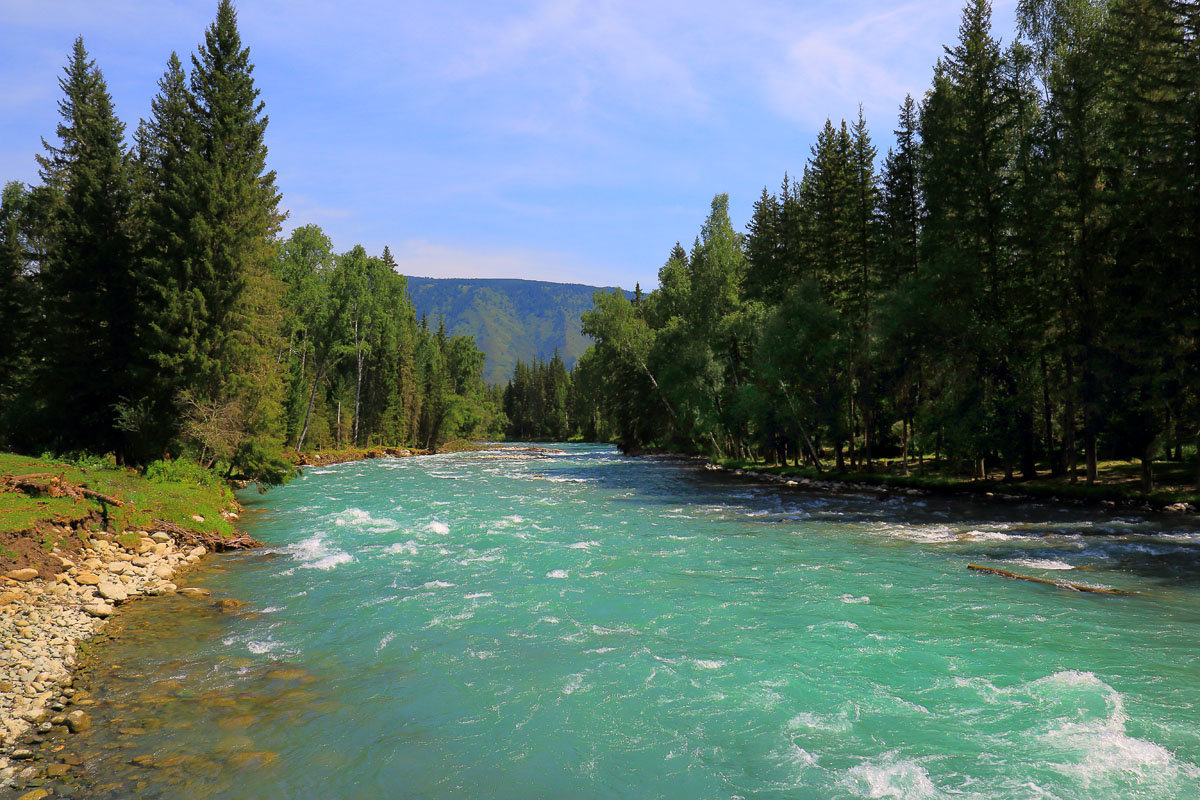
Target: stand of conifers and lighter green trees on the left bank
[(152, 309)]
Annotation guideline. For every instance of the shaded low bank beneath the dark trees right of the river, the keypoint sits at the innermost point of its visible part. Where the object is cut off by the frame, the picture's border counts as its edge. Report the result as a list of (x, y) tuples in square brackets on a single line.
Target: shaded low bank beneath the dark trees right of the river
[(1117, 483)]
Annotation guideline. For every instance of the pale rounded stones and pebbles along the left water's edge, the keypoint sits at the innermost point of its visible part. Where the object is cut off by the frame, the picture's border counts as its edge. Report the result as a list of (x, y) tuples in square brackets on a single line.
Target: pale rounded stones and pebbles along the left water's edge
[(45, 625)]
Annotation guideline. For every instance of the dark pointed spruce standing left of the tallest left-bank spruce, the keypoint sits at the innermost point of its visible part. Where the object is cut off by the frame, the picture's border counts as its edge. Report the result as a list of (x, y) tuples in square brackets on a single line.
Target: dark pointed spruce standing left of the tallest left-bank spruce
[(93, 314)]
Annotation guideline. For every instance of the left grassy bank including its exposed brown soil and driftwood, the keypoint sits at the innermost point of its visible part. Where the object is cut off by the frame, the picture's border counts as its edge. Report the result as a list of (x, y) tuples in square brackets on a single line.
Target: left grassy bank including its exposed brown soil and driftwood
[(49, 503)]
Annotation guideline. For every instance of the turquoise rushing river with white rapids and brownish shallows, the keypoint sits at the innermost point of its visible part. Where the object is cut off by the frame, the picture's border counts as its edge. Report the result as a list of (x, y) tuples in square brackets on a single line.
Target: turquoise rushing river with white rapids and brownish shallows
[(585, 625)]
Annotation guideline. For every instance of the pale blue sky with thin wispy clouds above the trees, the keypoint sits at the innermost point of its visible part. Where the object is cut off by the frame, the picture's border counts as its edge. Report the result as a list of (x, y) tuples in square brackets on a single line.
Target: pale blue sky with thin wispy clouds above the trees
[(562, 141)]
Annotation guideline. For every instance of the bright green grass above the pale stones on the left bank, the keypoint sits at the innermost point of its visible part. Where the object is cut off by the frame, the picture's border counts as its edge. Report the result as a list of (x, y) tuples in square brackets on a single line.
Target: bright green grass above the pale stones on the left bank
[(169, 491)]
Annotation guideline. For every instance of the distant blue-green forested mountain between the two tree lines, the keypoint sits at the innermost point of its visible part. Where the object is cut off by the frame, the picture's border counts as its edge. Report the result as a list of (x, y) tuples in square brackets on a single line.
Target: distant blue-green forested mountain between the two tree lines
[(509, 318)]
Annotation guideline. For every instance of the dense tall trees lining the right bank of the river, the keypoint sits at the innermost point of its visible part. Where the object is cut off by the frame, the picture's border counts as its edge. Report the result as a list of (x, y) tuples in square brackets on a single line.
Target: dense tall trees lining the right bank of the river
[(1016, 291)]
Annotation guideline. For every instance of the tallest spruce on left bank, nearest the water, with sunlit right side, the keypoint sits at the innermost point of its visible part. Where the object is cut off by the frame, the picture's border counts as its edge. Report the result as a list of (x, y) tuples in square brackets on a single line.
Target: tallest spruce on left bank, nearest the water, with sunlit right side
[(235, 221)]
